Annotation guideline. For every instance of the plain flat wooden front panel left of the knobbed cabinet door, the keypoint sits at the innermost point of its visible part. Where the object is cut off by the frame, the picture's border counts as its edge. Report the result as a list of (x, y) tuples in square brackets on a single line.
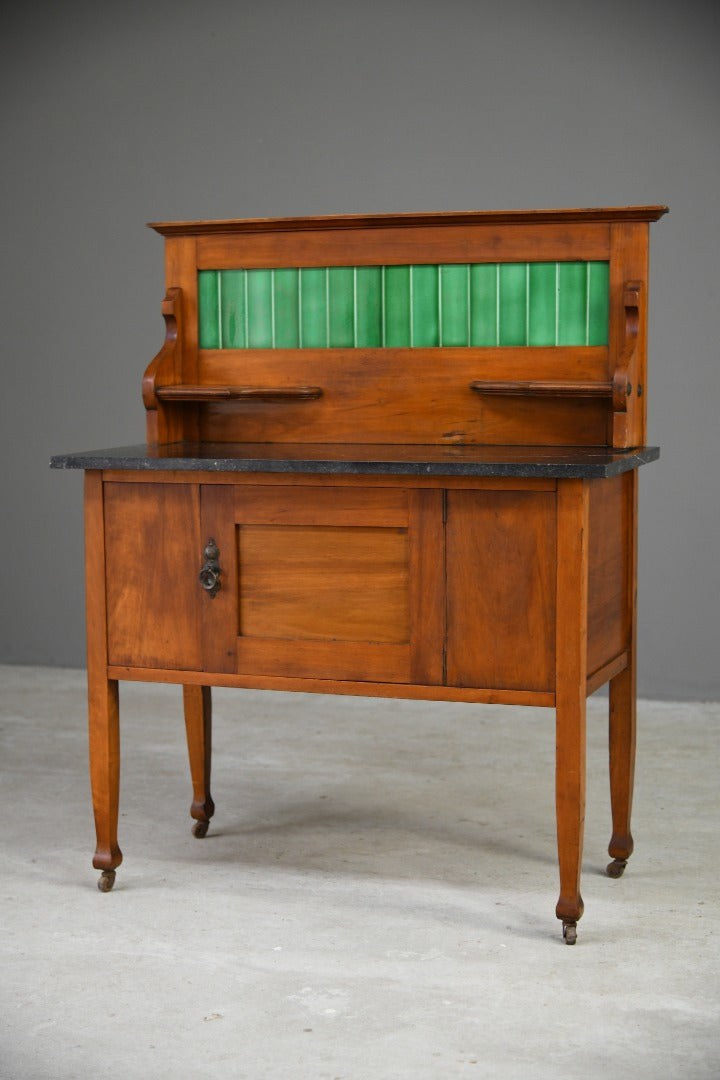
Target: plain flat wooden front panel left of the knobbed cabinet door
[(153, 556)]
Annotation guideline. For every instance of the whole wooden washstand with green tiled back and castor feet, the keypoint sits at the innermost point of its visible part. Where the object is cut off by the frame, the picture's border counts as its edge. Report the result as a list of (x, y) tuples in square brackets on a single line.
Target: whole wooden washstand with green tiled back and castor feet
[(391, 456)]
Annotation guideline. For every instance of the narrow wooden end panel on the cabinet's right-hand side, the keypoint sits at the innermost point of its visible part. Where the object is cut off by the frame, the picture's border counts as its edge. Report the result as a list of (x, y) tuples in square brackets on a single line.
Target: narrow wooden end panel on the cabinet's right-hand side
[(607, 623)]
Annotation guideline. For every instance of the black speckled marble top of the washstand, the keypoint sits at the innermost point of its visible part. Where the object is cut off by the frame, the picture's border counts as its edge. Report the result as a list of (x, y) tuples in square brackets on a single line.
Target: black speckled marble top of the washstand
[(371, 461)]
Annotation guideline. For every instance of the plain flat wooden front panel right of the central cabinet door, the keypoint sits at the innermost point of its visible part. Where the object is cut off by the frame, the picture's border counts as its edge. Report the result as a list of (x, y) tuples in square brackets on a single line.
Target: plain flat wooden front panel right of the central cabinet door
[(501, 590)]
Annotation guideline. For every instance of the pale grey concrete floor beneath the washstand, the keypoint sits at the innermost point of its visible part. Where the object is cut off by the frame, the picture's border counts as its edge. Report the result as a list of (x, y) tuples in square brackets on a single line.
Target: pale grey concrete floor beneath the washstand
[(375, 900)]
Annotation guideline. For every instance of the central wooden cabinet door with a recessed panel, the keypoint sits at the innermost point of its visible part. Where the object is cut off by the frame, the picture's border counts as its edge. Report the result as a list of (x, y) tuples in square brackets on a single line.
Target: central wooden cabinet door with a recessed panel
[(327, 583)]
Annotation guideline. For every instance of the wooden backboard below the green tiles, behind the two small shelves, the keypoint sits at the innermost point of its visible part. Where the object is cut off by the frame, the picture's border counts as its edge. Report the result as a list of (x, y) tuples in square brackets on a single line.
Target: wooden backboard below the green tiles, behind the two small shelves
[(405, 397)]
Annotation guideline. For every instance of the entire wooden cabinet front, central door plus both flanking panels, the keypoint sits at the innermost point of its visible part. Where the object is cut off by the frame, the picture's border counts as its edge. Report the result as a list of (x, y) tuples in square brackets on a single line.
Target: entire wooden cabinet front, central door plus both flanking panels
[(336, 583)]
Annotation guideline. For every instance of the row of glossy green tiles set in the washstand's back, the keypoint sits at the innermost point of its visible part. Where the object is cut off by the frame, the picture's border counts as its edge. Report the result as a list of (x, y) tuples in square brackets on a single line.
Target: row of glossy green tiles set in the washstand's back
[(420, 306)]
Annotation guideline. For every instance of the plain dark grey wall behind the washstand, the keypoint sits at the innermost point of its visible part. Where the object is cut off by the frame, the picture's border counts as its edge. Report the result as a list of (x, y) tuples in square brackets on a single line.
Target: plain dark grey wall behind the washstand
[(115, 115)]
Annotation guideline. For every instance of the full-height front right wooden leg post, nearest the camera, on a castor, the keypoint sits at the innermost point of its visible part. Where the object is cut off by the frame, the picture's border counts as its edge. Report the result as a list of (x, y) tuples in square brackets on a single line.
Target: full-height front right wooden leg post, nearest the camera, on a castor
[(570, 696)]
